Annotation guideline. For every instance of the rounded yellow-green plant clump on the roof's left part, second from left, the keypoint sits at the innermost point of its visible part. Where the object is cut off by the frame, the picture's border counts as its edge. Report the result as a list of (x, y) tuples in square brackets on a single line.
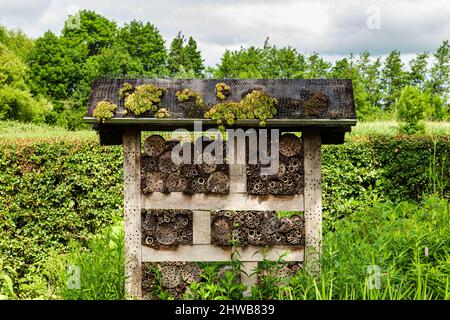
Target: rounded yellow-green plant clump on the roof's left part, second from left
[(145, 98)]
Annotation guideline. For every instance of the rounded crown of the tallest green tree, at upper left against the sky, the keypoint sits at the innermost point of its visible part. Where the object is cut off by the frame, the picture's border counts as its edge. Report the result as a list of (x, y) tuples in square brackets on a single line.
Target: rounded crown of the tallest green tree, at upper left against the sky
[(91, 29)]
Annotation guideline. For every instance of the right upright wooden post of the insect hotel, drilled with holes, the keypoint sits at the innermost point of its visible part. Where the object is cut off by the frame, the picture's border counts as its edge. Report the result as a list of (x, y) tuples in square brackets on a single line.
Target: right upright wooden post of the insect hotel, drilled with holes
[(312, 196)]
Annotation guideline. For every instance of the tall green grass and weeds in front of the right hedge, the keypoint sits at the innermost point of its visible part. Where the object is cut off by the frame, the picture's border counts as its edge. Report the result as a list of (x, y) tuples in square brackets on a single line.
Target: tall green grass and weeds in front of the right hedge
[(392, 237)]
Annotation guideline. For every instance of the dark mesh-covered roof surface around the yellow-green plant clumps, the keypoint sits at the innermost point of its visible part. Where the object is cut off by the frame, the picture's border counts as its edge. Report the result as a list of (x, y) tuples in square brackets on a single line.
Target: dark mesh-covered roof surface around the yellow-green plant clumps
[(297, 98)]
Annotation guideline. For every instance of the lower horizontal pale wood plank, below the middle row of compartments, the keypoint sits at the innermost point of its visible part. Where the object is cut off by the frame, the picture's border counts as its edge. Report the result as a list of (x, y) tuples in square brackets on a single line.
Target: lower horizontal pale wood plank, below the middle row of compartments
[(209, 253)]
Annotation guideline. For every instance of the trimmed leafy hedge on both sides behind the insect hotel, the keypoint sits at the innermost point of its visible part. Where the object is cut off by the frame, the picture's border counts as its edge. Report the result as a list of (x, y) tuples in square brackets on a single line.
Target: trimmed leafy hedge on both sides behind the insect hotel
[(52, 192)]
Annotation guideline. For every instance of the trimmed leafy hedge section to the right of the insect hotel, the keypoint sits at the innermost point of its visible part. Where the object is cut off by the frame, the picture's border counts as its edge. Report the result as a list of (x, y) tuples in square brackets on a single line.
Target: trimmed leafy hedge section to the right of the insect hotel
[(396, 168)]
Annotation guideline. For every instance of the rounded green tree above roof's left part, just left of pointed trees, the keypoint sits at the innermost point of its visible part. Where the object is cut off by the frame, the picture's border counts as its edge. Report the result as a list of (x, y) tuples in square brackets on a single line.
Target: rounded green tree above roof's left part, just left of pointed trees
[(144, 42)]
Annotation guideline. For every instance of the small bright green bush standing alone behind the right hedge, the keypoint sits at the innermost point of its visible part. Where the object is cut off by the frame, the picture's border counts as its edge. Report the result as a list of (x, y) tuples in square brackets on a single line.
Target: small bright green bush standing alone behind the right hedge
[(411, 108)]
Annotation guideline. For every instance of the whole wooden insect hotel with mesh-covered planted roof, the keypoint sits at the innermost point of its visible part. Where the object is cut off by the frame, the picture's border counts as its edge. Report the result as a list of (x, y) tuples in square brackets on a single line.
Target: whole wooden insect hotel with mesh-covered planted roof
[(180, 213)]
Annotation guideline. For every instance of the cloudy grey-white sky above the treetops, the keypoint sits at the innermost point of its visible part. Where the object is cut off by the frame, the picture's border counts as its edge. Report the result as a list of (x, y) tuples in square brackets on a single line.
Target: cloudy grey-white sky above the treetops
[(332, 28)]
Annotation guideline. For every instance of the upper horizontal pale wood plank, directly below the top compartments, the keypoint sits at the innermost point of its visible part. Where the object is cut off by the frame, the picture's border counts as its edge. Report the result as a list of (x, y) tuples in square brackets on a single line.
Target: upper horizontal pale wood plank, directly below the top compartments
[(232, 201)]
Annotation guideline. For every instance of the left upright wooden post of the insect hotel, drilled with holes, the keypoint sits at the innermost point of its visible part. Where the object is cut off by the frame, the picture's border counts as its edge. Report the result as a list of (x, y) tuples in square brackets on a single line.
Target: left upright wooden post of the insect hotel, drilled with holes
[(132, 212)]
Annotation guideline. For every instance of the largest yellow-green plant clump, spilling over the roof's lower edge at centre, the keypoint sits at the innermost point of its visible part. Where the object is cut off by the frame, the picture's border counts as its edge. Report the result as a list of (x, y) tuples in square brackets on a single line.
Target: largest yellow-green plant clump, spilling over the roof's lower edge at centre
[(255, 105)]
